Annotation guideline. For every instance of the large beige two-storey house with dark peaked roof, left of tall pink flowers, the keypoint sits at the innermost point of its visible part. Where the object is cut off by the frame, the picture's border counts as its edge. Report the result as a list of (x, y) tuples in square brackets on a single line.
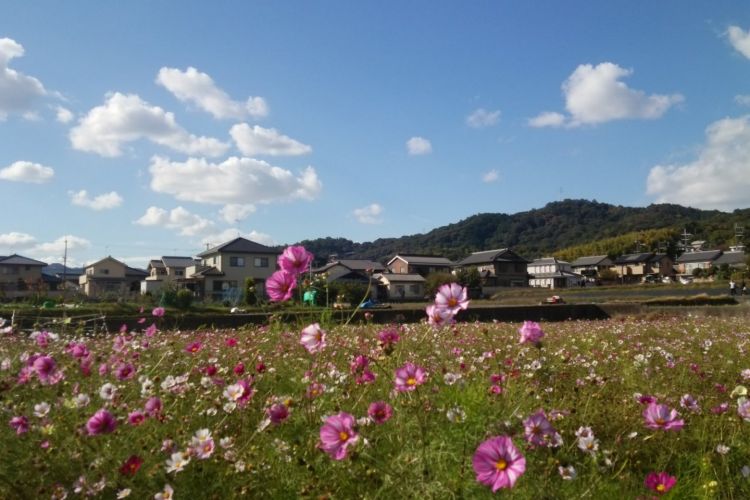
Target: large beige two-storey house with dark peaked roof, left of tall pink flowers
[(222, 270)]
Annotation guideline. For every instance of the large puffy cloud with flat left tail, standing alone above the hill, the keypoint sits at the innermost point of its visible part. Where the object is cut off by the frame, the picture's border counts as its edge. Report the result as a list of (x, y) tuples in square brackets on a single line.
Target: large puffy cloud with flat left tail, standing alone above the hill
[(596, 94)]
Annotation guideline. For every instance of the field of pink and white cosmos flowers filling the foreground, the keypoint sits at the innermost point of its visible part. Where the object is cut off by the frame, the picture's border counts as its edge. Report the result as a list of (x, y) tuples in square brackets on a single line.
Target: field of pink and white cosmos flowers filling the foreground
[(623, 408)]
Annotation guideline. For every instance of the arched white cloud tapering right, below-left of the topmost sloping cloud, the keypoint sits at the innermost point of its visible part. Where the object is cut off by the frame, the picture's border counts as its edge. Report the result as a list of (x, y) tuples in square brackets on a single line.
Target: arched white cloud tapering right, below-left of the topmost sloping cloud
[(127, 118)]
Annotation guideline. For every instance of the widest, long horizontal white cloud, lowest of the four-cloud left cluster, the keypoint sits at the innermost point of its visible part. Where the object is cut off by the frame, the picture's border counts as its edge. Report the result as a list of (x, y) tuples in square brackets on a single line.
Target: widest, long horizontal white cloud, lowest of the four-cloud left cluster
[(234, 181)]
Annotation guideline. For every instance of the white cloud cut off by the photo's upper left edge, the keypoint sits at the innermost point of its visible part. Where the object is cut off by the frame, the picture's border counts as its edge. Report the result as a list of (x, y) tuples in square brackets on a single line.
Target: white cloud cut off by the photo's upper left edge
[(18, 92)]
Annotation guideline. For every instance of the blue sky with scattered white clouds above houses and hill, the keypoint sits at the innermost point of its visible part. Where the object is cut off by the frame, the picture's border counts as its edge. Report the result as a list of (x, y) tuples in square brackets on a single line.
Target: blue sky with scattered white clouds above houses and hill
[(141, 129)]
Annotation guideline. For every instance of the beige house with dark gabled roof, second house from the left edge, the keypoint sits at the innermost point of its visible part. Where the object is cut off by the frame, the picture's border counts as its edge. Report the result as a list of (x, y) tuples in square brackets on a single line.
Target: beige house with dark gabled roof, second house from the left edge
[(109, 276)]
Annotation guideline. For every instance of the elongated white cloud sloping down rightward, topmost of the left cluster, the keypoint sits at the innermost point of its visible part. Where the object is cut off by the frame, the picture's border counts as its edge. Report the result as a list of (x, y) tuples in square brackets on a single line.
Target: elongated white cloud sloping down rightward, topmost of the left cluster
[(198, 88)]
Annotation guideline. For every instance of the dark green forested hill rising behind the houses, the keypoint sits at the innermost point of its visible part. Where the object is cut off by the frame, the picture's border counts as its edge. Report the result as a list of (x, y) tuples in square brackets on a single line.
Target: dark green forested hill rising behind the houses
[(544, 231)]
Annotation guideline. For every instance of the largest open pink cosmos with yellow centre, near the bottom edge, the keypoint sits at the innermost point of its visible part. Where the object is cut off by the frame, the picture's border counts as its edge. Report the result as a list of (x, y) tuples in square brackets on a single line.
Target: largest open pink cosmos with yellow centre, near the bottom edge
[(498, 463)]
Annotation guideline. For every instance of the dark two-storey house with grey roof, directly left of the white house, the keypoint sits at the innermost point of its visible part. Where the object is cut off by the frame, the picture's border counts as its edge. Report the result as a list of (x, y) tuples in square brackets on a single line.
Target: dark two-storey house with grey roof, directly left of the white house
[(497, 268)]
